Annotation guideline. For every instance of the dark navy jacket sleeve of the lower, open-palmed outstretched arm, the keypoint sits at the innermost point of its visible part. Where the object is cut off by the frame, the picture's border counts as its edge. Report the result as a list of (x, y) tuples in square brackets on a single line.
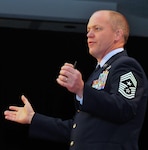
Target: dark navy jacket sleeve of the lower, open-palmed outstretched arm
[(49, 128)]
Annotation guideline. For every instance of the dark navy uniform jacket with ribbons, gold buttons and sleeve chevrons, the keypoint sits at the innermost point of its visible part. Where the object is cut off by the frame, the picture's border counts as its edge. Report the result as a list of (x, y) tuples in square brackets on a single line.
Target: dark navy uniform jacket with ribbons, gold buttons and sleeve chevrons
[(112, 114)]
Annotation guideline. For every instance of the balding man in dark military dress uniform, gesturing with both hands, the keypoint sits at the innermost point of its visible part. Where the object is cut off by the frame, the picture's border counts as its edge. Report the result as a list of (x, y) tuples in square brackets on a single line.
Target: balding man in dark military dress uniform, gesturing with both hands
[(110, 106)]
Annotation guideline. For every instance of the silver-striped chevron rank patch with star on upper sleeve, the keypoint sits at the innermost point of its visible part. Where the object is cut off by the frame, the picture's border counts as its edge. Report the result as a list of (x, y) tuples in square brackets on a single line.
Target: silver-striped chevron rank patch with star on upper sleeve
[(128, 85)]
